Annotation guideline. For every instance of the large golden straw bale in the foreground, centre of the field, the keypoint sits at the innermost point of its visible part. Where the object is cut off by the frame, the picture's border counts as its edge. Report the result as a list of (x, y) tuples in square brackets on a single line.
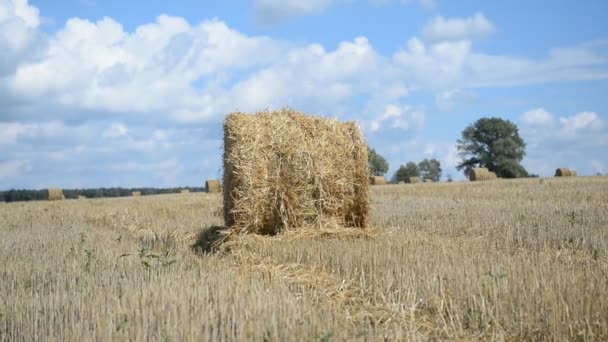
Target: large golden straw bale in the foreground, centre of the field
[(286, 170)]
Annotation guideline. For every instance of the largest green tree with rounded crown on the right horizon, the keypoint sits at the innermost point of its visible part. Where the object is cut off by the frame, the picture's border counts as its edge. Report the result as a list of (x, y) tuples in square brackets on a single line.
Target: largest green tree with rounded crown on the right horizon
[(493, 143)]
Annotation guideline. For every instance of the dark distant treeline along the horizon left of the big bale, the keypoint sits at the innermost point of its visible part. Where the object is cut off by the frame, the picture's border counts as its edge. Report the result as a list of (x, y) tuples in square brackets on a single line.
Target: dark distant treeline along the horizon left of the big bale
[(35, 195)]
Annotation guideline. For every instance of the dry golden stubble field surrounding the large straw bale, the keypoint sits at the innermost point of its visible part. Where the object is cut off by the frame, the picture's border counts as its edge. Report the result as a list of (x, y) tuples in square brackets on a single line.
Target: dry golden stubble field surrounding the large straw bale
[(510, 260)]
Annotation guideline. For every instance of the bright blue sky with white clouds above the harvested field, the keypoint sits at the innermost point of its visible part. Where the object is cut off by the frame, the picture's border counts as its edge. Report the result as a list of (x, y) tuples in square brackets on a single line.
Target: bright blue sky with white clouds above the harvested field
[(114, 93)]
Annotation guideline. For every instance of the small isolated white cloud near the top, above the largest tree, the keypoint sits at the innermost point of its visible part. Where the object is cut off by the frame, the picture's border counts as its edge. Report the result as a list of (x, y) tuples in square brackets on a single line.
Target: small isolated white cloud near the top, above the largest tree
[(453, 29)]
